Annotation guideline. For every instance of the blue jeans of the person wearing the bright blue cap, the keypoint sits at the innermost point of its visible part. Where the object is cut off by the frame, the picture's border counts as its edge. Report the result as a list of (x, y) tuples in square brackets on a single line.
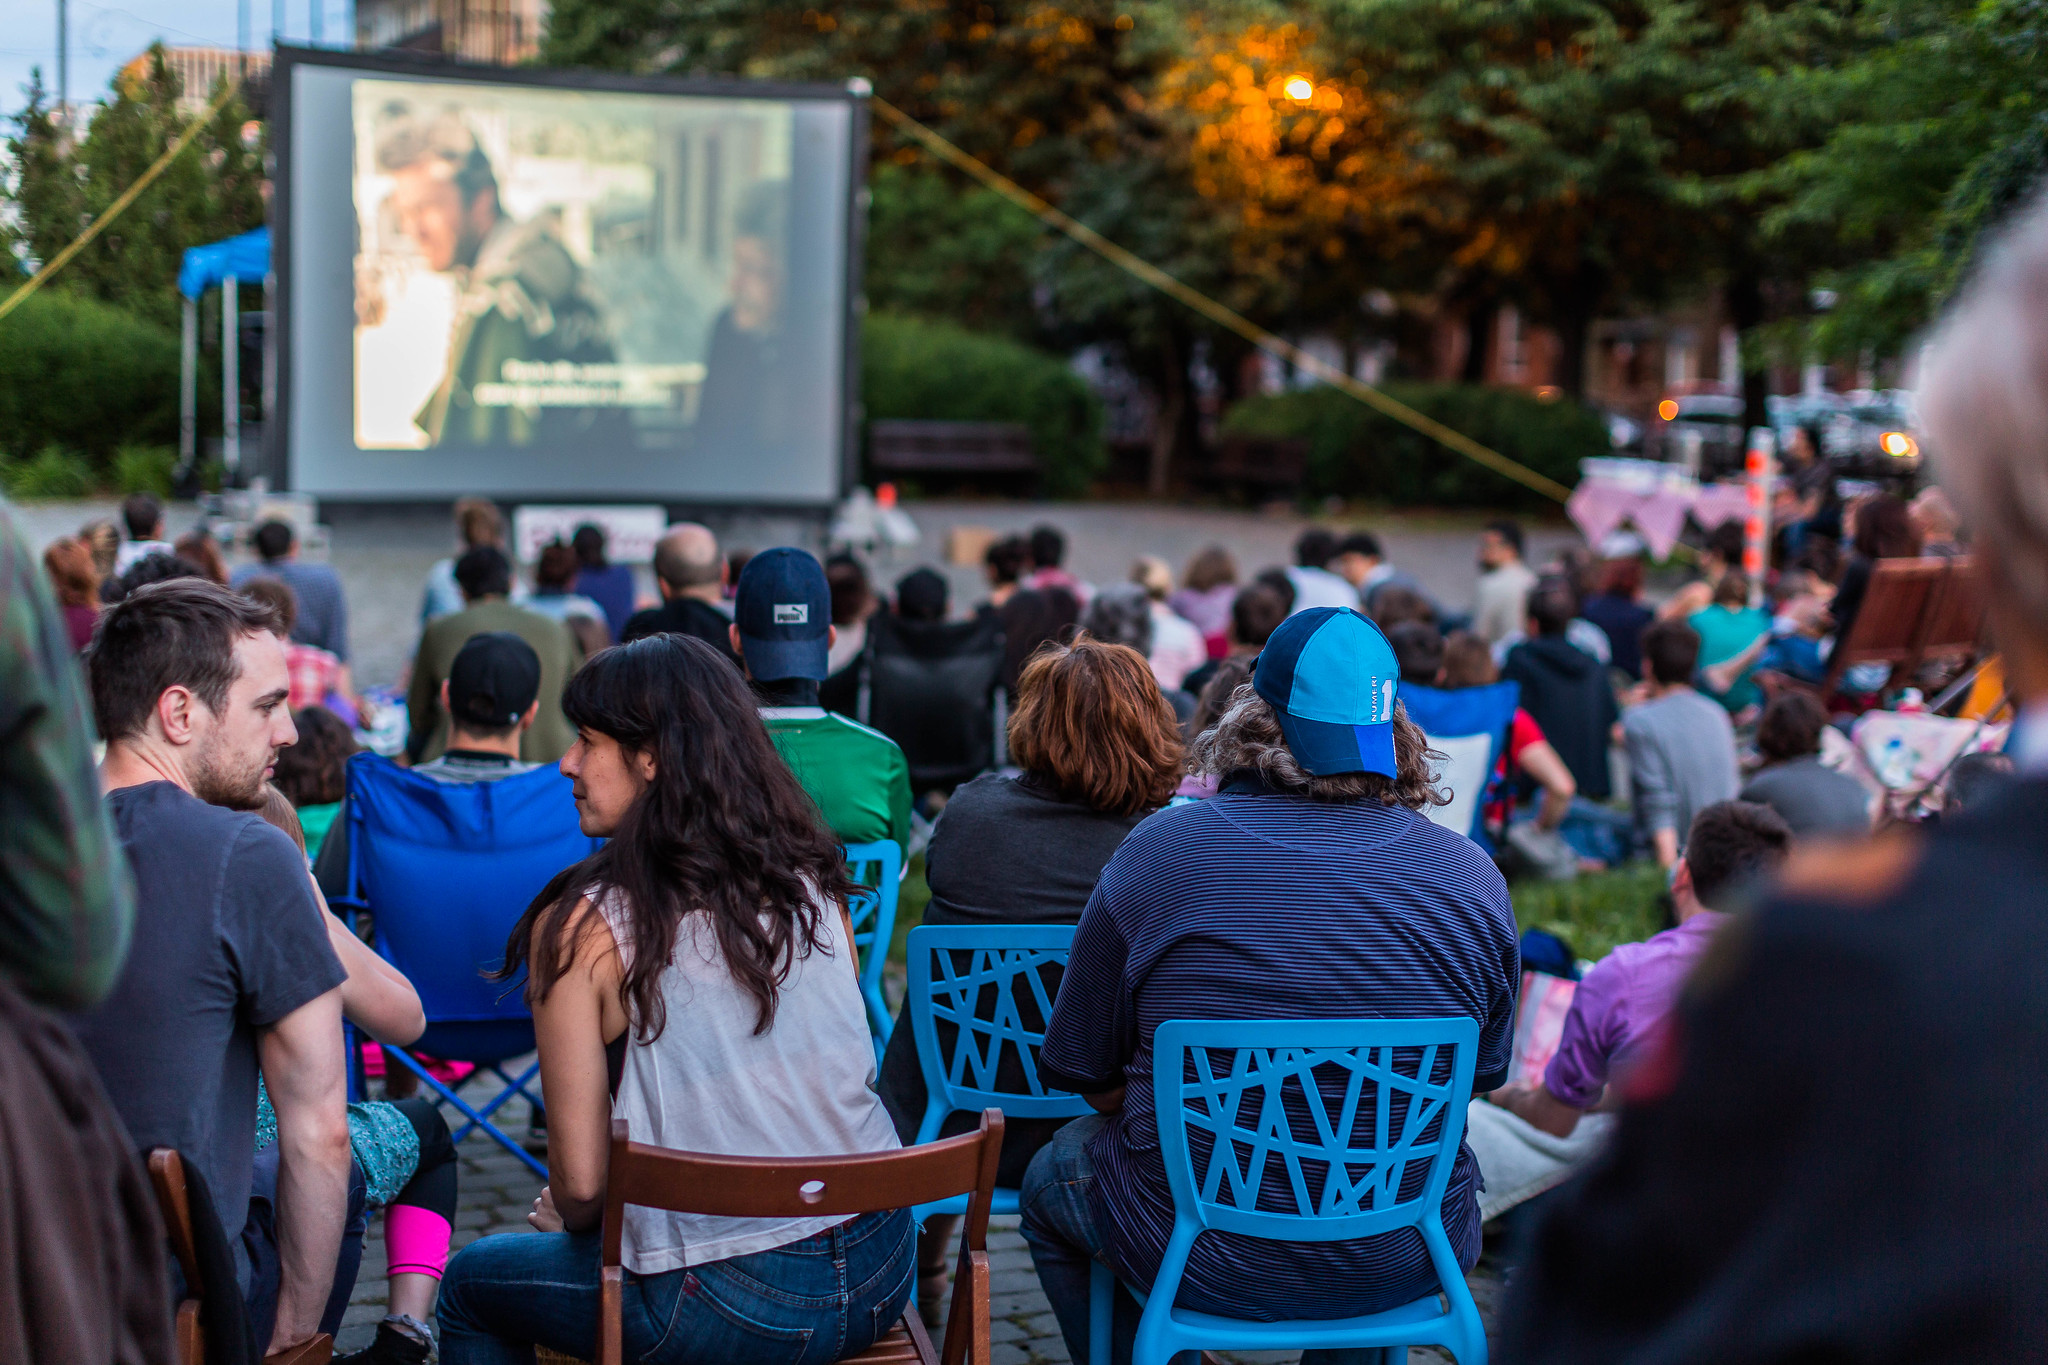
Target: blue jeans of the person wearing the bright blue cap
[(1066, 1241)]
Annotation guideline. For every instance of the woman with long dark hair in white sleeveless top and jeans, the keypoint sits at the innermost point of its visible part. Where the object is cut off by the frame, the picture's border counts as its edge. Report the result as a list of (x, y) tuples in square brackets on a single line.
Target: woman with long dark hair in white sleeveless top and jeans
[(703, 957)]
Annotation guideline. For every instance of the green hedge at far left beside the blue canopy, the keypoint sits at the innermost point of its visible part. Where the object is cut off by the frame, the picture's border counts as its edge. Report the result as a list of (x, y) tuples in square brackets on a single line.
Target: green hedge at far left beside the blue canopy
[(87, 378)]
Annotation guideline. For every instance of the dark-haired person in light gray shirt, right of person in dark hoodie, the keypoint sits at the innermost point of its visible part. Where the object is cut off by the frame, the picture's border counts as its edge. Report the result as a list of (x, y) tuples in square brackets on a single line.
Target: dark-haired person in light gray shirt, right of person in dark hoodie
[(1680, 744)]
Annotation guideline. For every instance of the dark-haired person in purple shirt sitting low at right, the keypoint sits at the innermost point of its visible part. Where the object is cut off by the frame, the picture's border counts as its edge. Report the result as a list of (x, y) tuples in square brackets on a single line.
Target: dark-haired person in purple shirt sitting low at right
[(1621, 1010)]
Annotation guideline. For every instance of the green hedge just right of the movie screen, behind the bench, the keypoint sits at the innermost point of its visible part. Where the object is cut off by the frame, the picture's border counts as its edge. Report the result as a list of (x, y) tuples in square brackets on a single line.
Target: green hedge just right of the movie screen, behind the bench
[(939, 371)]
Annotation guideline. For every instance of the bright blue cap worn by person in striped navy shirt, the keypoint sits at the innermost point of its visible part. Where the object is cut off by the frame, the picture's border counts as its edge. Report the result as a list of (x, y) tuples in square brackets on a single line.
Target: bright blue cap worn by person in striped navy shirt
[(1330, 678)]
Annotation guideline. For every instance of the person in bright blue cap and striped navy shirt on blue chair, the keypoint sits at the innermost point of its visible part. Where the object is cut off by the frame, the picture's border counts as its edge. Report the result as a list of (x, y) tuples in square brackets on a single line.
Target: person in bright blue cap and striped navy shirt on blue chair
[(1312, 887)]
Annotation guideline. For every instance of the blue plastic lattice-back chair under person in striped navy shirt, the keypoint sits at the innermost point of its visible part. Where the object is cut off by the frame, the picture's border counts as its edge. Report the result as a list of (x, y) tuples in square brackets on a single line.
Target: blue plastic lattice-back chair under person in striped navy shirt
[(1375, 1110)]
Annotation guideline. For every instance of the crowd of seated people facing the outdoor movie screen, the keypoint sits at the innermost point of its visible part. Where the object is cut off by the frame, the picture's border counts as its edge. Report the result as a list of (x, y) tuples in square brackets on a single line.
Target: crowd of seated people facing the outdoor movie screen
[(1224, 846)]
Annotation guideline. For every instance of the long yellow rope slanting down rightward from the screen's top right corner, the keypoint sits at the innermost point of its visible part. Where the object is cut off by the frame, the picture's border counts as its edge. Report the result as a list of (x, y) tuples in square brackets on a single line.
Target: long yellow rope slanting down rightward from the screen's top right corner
[(1218, 312)]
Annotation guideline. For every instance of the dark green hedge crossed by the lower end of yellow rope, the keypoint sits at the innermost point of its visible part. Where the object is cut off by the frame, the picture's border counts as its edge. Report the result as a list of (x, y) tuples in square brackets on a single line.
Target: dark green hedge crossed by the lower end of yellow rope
[(1355, 451)]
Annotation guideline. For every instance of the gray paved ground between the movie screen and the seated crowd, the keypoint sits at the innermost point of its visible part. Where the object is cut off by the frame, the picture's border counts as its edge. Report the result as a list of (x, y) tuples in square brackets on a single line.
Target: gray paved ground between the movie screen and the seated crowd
[(384, 556)]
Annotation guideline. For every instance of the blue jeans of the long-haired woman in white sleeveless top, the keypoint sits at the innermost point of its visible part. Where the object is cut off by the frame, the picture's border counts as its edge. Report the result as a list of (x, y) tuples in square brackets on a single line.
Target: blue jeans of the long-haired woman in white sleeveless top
[(802, 1305)]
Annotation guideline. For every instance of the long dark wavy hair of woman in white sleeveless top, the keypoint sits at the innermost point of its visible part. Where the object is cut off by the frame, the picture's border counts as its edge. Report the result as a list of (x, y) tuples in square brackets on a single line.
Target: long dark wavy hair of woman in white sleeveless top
[(724, 830)]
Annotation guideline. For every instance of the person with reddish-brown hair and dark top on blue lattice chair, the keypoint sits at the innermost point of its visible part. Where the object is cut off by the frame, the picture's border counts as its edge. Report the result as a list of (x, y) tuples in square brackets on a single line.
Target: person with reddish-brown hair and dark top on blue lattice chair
[(1099, 754)]
